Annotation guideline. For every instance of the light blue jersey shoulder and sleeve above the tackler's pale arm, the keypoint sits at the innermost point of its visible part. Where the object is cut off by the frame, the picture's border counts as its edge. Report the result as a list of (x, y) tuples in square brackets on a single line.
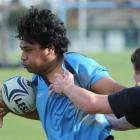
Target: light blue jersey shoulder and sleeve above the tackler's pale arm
[(87, 70)]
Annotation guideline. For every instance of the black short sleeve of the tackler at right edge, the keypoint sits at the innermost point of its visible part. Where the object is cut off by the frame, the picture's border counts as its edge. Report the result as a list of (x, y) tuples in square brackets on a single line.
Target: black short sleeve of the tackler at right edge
[(125, 102)]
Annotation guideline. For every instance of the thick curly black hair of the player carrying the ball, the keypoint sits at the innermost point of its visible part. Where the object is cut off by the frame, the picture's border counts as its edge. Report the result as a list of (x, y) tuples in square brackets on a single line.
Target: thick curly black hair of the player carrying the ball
[(43, 27)]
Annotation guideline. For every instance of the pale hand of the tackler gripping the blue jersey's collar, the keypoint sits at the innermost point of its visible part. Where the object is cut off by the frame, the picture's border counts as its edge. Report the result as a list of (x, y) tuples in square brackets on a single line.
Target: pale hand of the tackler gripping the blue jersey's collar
[(62, 82)]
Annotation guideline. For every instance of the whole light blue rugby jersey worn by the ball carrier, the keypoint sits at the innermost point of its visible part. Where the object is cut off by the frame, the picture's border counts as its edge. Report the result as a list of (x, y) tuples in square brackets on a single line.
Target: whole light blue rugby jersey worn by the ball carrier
[(61, 119)]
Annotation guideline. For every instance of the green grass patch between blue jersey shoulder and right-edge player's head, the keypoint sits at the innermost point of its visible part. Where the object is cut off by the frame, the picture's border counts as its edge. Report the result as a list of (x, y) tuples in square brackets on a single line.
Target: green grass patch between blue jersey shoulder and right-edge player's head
[(118, 64)]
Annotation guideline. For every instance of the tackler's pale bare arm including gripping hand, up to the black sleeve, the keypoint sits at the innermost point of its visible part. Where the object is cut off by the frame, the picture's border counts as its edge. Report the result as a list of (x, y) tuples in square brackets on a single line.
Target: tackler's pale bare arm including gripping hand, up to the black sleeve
[(84, 99)]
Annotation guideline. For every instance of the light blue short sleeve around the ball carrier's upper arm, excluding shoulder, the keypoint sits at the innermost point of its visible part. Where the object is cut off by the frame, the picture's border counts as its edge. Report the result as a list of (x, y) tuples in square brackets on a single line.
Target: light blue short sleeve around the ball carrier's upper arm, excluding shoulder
[(90, 72)]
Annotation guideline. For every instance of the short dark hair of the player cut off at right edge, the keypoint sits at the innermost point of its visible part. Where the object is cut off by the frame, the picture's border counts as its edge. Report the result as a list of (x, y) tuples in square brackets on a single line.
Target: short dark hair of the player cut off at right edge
[(135, 59)]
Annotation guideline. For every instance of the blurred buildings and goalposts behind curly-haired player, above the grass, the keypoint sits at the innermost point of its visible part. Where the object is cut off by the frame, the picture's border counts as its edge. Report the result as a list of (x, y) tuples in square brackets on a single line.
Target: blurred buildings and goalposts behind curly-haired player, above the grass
[(93, 25)]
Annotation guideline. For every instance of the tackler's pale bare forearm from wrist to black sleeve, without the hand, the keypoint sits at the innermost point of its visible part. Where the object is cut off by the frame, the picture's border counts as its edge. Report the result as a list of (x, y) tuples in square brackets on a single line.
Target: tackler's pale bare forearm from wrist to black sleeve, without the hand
[(87, 100)]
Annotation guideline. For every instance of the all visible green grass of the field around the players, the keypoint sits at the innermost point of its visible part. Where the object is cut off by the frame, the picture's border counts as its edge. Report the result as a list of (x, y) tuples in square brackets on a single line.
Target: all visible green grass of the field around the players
[(17, 128)]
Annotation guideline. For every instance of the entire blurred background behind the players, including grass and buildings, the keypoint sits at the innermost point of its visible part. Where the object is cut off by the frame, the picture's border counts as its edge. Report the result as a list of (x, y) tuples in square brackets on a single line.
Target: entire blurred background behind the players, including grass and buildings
[(106, 30)]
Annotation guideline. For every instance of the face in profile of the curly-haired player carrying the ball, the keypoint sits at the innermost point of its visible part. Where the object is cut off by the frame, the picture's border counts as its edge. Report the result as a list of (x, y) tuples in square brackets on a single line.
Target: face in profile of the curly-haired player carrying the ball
[(34, 58)]
